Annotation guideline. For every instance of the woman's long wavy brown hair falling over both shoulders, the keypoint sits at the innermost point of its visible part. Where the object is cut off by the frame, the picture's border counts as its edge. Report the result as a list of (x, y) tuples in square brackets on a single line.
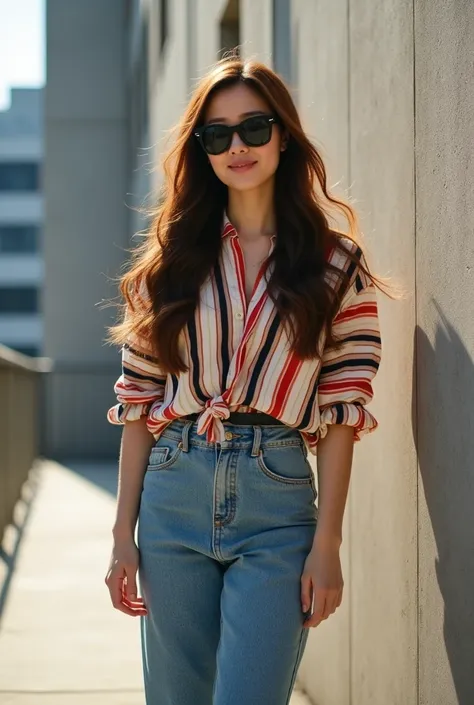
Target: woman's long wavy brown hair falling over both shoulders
[(183, 242)]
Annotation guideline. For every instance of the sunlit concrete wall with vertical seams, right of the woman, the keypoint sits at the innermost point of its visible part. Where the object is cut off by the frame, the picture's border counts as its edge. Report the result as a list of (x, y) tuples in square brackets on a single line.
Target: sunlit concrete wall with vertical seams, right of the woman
[(384, 89)]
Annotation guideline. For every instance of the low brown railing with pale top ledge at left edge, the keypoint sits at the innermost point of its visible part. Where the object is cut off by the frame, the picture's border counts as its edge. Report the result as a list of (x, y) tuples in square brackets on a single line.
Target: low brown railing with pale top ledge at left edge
[(21, 393)]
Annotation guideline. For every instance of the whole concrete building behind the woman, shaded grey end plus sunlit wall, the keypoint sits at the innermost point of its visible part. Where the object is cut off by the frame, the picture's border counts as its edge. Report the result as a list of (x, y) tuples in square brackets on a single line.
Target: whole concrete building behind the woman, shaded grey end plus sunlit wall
[(385, 90)]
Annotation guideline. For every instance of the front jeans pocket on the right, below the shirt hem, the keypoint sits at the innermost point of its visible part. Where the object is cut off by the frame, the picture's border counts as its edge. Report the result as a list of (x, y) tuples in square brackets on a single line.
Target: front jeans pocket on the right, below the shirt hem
[(286, 464)]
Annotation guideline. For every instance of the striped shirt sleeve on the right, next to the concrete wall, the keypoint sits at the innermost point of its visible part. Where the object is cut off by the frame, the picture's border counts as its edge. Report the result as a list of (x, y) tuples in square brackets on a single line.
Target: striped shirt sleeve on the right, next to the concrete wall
[(345, 382)]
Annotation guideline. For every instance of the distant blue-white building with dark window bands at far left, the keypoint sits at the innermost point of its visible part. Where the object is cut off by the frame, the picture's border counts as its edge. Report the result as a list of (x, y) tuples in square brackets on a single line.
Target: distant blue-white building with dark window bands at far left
[(21, 221)]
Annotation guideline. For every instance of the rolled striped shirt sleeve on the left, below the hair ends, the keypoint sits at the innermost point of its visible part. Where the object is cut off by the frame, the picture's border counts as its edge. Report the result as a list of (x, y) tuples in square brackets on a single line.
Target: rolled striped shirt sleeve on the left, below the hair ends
[(140, 385)]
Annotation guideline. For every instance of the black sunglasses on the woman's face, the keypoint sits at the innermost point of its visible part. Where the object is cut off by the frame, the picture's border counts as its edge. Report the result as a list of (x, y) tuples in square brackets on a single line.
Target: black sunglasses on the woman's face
[(254, 131)]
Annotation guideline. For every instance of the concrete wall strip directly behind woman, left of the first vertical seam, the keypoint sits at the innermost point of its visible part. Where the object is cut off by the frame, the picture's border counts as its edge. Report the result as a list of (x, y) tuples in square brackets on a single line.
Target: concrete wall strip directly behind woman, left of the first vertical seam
[(325, 668)]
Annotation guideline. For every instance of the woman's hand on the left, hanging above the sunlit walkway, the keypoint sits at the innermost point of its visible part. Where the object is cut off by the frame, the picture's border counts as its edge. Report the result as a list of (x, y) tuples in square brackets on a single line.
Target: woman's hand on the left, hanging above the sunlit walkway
[(121, 578)]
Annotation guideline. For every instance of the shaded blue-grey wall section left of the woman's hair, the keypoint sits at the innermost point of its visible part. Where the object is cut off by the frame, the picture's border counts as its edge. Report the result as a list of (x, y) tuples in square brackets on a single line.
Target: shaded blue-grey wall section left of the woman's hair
[(85, 217)]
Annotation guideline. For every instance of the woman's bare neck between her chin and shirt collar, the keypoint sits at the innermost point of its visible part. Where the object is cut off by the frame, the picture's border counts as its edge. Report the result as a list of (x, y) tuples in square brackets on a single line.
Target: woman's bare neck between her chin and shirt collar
[(252, 212)]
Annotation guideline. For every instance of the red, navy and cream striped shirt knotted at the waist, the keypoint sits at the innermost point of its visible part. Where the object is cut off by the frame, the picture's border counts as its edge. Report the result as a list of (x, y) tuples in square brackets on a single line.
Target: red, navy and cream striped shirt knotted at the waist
[(239, 359)]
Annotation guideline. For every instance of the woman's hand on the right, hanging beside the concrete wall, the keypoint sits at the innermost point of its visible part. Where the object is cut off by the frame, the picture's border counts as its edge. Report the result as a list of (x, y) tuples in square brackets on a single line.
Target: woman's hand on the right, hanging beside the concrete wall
[(321, 579)]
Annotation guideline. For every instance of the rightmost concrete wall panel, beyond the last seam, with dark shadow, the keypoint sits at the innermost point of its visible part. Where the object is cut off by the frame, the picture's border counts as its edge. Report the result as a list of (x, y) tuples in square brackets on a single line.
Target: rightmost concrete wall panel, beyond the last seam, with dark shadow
[(444, 51)]
